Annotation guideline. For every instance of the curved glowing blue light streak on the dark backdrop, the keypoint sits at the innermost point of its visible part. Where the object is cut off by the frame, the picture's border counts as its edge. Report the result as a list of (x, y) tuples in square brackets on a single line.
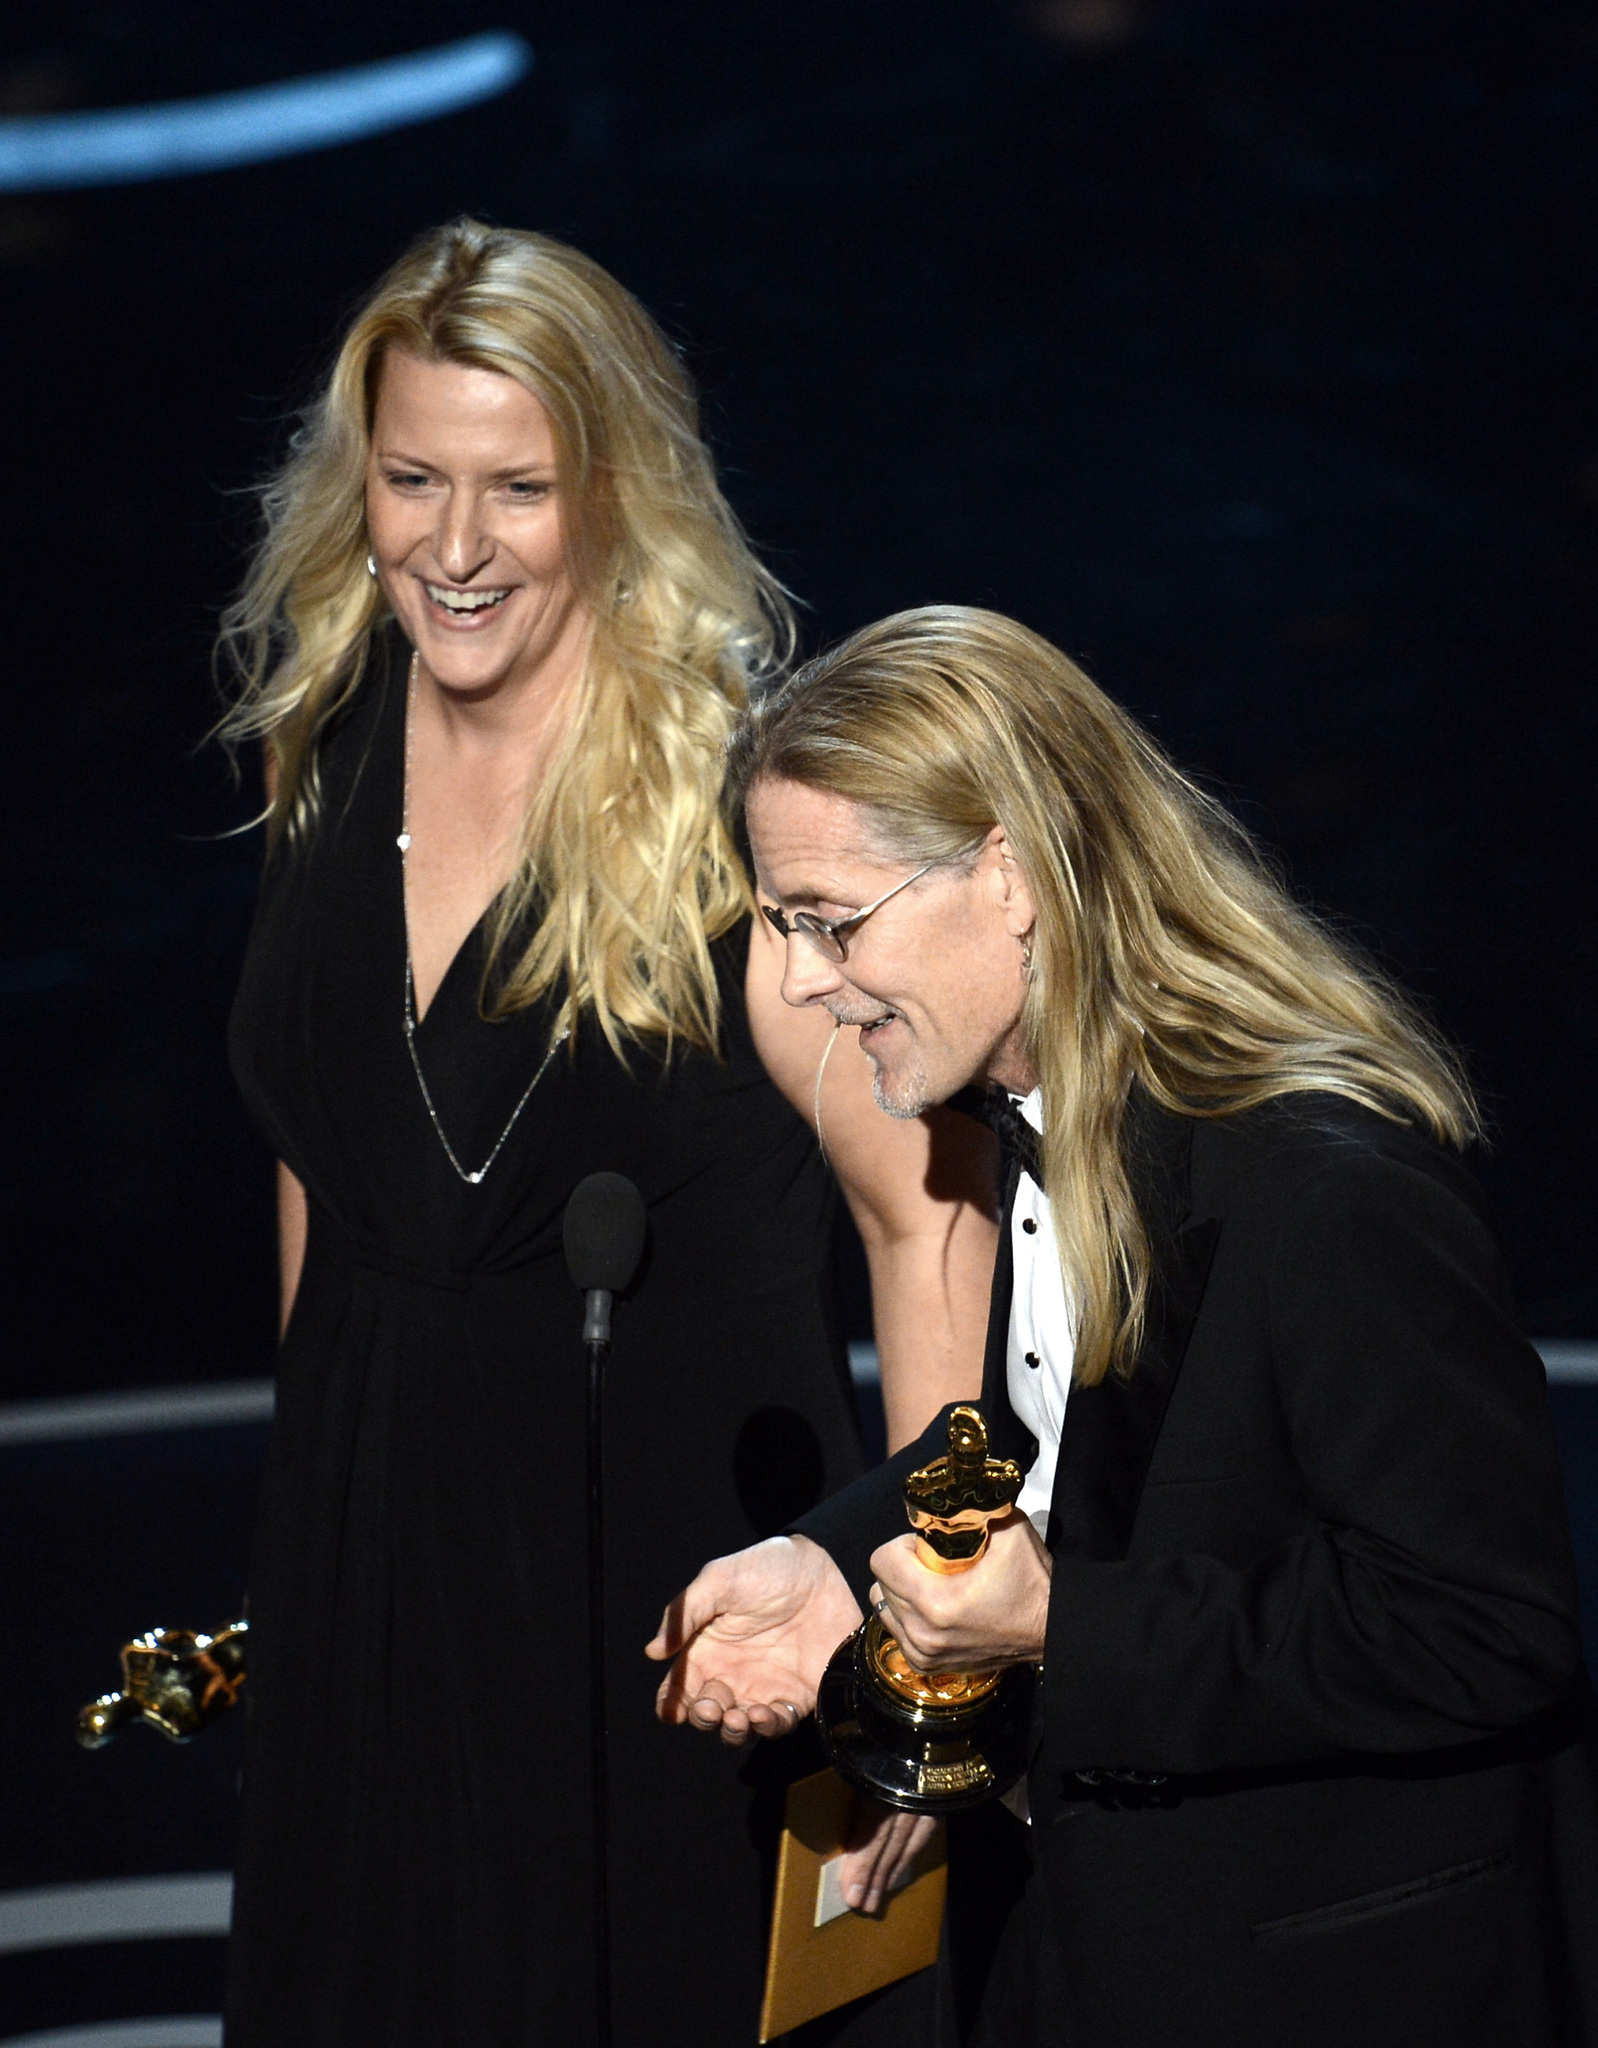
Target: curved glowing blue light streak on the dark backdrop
[(179, 138)]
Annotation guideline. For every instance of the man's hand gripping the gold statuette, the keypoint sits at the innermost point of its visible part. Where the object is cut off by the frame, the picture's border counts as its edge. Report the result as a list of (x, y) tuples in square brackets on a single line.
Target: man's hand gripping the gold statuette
[(970, 1621)]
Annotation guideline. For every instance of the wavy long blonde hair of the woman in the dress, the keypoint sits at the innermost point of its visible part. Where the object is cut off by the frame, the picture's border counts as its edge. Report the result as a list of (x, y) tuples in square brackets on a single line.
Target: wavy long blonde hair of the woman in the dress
[(626, 867)]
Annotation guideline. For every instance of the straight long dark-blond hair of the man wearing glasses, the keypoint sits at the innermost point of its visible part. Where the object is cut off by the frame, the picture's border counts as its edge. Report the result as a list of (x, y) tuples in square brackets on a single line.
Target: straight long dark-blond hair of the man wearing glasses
[(1165, 953)]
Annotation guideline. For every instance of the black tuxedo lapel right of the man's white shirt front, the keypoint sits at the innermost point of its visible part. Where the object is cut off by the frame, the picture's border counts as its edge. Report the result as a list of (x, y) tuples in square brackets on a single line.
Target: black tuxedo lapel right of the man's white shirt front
[(1111, 1428)]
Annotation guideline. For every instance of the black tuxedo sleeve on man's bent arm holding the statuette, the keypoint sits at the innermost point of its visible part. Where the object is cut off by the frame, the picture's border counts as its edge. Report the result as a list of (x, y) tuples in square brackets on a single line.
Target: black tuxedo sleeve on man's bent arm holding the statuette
[(1433, 1601)]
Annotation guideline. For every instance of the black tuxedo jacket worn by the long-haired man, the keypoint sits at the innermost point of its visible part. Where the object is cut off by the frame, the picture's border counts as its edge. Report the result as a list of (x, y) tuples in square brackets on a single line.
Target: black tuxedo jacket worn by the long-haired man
[(1314, 1758)]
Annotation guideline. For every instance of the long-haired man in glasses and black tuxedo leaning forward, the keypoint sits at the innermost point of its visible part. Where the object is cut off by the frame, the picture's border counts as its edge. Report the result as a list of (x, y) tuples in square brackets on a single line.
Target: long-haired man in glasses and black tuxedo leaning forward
[(1312, 1756)]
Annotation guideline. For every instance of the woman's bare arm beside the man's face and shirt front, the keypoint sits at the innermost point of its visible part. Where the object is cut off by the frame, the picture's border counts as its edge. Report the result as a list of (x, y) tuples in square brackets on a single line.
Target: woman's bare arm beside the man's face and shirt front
[(923, 1195)]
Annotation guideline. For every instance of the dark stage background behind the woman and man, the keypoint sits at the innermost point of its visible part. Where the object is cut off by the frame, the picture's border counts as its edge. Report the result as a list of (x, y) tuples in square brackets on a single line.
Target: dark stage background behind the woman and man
[(1243, 347)]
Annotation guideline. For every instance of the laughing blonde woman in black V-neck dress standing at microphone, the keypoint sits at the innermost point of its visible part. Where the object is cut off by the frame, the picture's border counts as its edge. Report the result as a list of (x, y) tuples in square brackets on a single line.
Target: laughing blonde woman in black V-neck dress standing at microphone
[(495, 640)]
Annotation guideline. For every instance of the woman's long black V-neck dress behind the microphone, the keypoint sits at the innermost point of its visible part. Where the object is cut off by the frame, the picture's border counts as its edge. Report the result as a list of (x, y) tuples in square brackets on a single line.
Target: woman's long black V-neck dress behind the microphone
[(417, 1832)]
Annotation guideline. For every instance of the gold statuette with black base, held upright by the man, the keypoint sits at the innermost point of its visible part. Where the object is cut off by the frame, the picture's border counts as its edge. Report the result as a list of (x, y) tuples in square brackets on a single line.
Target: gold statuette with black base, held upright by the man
[(933, 1742)]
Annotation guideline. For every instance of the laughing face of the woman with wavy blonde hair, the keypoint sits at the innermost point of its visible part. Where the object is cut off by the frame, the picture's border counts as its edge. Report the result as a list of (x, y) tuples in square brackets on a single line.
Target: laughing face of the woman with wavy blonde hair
[(466, 523)]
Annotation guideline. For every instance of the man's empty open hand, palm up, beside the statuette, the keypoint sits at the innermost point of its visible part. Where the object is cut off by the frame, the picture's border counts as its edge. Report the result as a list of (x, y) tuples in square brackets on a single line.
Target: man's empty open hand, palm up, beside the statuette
[(753, 1637)]
